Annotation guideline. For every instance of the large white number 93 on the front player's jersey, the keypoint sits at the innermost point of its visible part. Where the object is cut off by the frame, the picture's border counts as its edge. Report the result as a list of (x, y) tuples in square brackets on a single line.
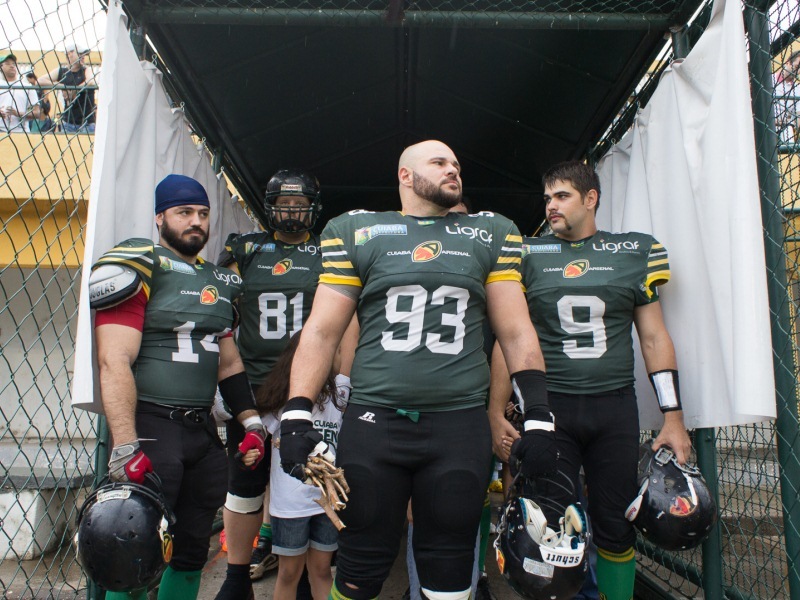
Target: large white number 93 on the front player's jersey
[(415, 319)]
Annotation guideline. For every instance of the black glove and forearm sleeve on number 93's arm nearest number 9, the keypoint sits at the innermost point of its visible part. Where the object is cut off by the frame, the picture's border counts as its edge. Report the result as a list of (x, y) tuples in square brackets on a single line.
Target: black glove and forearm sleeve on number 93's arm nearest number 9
[(536, 450)]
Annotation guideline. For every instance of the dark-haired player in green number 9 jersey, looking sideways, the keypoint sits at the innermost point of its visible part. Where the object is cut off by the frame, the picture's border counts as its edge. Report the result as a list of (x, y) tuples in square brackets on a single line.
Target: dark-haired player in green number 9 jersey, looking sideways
[(585, 290)]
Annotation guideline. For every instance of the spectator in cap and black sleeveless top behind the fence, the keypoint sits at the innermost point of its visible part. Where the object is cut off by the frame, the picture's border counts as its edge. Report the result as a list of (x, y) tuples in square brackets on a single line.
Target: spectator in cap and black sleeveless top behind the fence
[(78, 112)]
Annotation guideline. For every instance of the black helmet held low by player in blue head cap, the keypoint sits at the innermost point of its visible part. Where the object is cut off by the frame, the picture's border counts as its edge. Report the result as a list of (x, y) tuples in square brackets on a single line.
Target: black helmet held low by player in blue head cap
[(123, 540)]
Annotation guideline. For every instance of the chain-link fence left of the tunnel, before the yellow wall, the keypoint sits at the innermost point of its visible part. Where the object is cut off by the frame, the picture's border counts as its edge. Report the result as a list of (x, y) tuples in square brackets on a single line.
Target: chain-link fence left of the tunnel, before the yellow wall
[(46, 448)]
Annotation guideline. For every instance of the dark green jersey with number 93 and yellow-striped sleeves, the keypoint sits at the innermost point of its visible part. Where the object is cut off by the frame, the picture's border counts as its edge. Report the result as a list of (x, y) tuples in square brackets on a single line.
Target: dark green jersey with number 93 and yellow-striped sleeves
[(422, 302)]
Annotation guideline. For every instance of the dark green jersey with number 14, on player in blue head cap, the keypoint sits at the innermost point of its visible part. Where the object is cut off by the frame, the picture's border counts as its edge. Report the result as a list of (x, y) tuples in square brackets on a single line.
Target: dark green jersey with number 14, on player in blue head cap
[(189, 307)]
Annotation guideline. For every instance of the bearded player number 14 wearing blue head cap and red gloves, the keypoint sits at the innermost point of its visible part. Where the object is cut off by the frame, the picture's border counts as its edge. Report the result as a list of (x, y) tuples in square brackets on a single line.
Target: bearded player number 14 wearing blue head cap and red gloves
[(163, 336)]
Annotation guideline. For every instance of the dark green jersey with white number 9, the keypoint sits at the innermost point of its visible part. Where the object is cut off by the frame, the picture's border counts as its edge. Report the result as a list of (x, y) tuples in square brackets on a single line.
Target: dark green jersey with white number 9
[(581, 297)]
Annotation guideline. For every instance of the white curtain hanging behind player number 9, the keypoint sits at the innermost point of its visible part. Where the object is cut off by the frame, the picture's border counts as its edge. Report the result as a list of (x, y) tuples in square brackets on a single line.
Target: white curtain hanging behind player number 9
[(686, 173)]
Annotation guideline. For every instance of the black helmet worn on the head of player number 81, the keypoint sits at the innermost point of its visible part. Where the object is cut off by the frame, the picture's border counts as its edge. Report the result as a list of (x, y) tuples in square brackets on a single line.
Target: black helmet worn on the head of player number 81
[(292, 182)]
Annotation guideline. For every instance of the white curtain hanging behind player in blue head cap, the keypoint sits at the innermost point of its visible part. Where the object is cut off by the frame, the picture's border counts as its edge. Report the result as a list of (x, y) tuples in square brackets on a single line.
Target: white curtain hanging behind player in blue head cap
[(139, 140)]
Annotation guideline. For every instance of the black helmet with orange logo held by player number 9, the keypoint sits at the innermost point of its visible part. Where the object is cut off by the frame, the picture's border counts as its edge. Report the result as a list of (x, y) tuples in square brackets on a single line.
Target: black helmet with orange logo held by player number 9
[(674, 509)]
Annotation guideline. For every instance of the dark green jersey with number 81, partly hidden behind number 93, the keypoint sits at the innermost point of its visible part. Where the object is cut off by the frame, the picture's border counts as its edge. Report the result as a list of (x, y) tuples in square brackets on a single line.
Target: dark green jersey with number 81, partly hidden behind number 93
[(279, 284)]
